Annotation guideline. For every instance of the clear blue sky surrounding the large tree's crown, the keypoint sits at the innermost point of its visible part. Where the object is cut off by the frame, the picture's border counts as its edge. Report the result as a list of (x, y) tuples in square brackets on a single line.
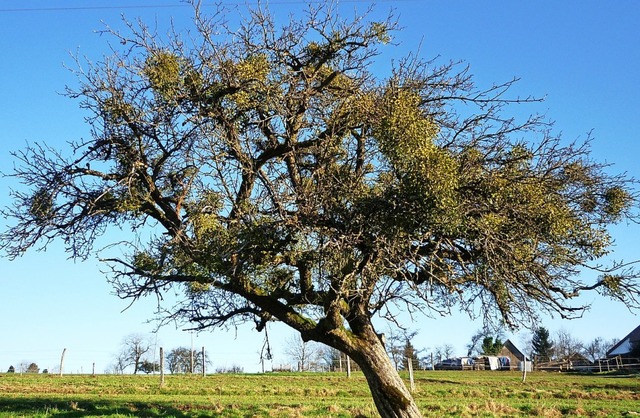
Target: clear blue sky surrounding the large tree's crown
[(582, 56)]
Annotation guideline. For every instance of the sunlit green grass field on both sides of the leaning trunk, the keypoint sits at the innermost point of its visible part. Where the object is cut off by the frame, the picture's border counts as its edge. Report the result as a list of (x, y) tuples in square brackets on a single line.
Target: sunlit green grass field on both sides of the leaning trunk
[(438, 393)]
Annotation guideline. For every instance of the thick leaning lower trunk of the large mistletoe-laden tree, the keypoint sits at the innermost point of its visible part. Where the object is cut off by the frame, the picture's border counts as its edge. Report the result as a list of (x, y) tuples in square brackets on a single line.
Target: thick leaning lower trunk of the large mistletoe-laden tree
[(391, 396)]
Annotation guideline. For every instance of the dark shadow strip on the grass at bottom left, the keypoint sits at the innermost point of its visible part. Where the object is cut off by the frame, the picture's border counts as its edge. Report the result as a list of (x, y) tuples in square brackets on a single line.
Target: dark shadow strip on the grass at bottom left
[(59, 408)]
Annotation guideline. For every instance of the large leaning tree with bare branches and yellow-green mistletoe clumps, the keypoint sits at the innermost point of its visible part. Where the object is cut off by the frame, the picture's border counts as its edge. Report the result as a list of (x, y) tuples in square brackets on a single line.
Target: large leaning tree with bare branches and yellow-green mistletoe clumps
[(265, 172)]
